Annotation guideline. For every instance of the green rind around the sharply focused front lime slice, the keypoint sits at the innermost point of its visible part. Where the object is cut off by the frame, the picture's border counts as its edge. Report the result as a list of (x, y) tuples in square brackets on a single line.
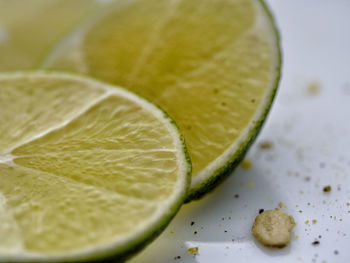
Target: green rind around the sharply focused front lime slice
[(126, 251)]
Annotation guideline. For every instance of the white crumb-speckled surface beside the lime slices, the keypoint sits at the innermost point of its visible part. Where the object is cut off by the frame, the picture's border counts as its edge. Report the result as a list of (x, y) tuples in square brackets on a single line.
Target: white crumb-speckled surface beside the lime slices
[(310, 133)]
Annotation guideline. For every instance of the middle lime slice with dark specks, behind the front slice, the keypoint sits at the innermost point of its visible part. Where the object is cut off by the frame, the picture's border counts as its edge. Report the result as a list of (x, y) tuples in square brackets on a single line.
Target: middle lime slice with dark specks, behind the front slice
[(214, 66)]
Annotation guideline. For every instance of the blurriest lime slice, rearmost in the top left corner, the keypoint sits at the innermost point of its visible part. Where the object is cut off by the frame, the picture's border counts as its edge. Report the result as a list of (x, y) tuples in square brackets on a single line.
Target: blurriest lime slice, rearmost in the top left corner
[(29, 29)]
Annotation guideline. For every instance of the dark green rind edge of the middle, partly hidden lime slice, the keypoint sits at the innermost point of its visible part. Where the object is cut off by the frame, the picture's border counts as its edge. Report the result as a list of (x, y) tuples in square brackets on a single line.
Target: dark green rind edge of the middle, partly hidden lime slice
[(225, 170)]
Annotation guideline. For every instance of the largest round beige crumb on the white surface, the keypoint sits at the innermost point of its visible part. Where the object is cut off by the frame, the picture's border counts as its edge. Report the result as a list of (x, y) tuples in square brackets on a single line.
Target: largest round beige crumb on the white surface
[(273, 228)]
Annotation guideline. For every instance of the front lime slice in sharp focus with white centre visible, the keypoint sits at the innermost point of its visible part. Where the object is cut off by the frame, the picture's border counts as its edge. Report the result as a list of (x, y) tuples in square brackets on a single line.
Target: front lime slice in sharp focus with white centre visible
[(88, 171)]
